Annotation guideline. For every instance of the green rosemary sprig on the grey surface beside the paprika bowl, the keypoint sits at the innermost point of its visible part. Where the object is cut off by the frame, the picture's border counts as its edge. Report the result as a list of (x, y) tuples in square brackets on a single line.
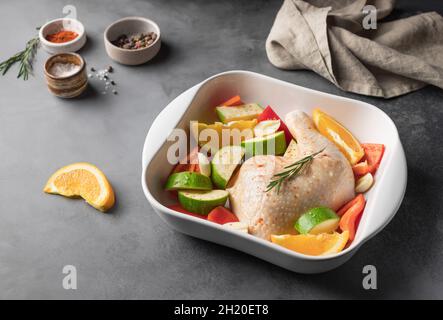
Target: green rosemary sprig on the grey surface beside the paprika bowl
[(24, 58)]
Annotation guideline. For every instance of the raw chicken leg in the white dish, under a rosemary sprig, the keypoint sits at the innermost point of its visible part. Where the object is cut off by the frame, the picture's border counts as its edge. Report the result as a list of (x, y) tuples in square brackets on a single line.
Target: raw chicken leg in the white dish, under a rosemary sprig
[(328, 181)]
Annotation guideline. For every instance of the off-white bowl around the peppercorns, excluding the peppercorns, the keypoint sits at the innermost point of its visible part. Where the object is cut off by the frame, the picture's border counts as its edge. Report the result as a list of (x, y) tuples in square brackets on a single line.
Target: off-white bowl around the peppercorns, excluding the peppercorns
[(131, 26)]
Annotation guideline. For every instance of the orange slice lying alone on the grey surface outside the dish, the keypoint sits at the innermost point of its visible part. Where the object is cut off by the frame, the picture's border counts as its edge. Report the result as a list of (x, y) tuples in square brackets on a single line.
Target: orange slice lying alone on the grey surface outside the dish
[(82, 180)]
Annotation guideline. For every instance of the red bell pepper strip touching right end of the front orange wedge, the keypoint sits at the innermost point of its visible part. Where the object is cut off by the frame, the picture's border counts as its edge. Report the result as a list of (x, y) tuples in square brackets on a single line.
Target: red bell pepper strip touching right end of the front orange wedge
[(350, 214)]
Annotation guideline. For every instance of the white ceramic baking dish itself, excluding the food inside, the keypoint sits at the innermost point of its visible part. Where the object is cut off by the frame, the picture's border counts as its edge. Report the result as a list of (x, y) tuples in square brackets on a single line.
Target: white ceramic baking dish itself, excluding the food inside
[(366, 121)]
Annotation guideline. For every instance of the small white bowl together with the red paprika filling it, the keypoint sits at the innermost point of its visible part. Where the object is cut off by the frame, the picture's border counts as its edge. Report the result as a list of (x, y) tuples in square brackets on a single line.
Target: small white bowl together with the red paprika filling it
[(62, 35)]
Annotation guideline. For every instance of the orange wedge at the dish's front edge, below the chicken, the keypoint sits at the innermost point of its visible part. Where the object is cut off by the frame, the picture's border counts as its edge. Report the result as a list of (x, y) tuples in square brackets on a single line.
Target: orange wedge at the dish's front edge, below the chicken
[(313, 245)]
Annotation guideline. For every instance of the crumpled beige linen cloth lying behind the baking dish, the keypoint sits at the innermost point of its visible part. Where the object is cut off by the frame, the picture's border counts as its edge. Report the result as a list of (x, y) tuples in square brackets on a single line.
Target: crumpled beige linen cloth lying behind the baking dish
[(328, 37)]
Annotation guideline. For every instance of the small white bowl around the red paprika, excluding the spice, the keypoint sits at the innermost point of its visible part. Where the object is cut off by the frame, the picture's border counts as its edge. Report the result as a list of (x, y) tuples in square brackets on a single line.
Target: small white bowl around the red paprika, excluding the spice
[(56, 25)]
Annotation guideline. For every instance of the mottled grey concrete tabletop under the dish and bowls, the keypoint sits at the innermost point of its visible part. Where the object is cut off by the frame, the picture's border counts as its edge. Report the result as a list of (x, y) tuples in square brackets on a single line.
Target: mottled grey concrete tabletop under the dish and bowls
[(130, 253)]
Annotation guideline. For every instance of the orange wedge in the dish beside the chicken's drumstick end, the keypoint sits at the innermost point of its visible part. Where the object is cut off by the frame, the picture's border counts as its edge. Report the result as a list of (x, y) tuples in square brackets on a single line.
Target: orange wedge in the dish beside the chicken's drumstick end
[(339, 135)]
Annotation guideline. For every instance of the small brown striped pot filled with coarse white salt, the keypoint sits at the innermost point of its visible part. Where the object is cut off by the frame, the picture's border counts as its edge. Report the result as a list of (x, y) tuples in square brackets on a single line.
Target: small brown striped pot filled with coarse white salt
[(65, 75)]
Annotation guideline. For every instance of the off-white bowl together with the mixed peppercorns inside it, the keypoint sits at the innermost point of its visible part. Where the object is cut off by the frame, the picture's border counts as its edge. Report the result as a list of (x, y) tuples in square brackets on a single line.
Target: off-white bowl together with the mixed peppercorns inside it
[(132, 40)]
